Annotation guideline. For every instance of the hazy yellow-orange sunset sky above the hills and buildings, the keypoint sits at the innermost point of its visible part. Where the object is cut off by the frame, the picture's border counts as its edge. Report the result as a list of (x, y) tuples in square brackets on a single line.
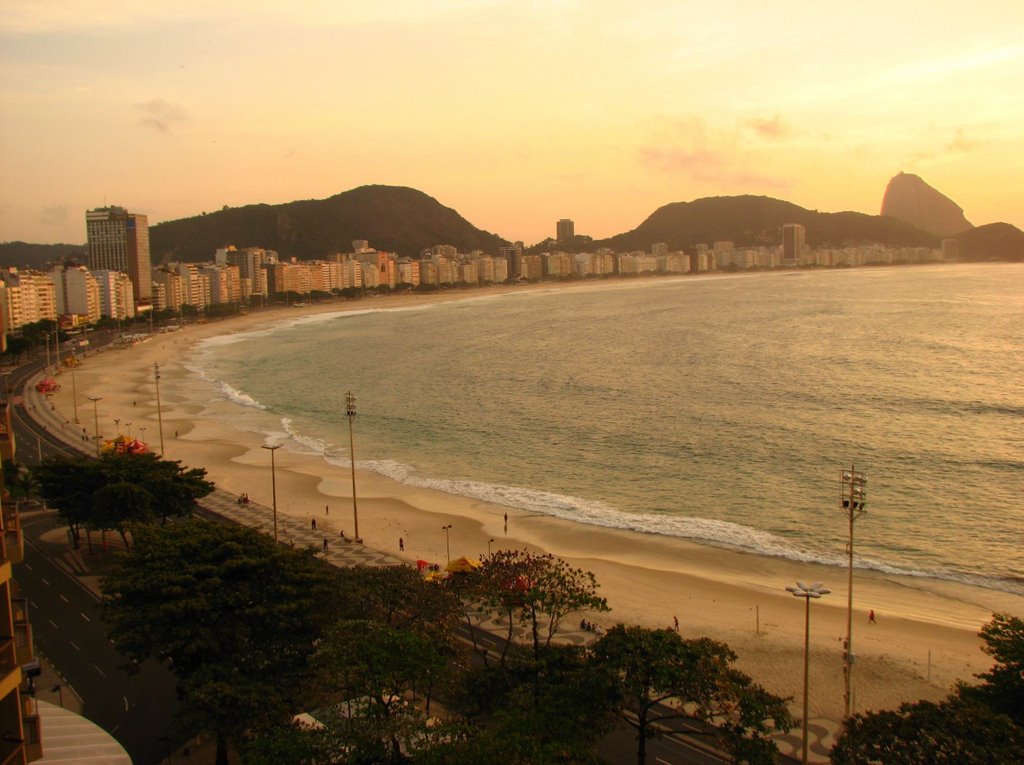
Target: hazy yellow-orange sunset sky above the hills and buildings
[(515, 113)]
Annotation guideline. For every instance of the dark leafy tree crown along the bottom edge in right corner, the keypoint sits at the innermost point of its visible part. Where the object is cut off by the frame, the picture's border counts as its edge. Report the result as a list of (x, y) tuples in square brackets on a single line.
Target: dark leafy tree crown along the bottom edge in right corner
[(955, 732)]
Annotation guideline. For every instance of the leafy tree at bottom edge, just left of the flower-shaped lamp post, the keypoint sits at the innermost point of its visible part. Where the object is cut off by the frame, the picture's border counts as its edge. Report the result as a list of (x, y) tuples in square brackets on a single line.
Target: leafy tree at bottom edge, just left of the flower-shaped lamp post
[(650, 668)]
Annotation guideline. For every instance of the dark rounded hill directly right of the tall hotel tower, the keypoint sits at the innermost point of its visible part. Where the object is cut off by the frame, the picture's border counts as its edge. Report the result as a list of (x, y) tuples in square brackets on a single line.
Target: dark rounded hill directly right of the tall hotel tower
[(392, 219)]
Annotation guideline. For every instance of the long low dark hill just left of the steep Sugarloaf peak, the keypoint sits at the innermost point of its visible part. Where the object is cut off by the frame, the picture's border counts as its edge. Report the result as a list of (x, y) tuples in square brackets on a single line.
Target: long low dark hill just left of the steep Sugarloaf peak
[(749, 222)]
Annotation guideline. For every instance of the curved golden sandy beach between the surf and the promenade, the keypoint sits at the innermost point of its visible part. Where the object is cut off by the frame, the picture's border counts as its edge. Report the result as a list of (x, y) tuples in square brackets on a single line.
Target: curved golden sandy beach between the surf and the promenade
[(926, 632)]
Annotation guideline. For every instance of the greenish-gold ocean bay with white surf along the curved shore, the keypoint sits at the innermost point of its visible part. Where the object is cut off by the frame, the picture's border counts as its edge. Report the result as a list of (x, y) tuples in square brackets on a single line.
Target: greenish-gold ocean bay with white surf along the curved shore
[(719, 409)]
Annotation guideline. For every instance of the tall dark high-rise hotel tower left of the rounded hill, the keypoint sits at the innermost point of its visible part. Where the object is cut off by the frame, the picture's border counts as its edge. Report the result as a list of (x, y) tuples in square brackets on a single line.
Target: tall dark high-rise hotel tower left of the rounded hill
[(119, 241)]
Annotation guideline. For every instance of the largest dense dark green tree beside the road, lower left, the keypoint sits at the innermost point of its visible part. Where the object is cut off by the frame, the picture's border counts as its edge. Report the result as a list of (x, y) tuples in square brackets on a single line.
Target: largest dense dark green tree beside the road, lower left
[(236, 615)]
